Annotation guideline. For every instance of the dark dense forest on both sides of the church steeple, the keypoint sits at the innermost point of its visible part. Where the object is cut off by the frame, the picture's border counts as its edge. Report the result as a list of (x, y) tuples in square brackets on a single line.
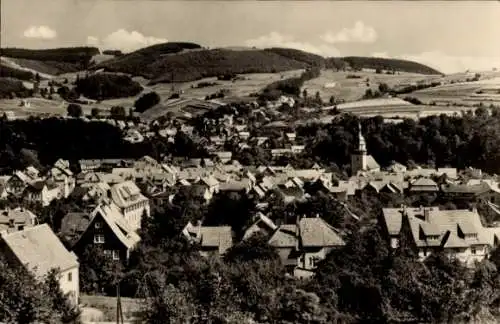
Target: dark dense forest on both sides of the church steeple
[(472, 140)]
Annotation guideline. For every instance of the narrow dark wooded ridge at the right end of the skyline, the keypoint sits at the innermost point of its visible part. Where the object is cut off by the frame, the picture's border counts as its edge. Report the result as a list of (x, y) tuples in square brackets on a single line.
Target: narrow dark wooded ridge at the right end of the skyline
[(358, 62)]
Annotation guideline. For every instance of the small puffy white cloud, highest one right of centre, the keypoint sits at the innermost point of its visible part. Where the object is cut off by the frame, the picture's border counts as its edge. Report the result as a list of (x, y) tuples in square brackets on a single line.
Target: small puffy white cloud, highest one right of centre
[(360, 33)]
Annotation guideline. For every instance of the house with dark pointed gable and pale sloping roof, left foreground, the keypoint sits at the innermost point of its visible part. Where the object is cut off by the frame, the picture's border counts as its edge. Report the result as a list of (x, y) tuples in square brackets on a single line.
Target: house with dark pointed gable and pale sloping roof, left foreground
[(109, 230)]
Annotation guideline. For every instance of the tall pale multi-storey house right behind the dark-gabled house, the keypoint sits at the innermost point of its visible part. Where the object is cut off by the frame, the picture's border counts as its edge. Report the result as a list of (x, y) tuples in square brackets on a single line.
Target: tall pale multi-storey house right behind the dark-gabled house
[(131, 202)]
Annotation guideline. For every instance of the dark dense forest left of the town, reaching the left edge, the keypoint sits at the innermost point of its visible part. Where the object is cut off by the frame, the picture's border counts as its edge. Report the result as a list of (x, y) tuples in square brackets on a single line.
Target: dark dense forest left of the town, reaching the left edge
[(41, 142)]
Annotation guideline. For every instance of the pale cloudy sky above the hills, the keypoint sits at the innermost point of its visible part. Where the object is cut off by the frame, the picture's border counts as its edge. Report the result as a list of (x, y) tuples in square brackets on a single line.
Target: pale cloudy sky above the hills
[(450, 36)]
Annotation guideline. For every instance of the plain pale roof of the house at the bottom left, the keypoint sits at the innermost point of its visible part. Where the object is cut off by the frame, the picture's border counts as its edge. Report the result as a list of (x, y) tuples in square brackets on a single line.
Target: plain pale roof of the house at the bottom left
[(40, 250)]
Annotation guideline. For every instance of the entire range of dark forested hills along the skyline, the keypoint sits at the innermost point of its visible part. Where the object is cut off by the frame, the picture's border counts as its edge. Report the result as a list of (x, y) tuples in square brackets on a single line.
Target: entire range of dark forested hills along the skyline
[(184, 61)]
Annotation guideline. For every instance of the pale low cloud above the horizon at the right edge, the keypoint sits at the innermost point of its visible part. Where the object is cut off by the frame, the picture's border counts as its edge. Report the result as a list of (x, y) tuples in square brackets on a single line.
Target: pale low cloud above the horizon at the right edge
[(449, 63)]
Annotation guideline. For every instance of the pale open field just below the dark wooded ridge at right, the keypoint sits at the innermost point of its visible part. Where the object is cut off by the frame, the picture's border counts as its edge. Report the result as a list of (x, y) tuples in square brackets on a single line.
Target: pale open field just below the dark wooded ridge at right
[(331, 83)]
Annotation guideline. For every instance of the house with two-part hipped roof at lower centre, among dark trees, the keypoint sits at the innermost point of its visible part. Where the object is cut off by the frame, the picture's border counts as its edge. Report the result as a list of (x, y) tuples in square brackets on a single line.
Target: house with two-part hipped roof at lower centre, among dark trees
[(303, 244)]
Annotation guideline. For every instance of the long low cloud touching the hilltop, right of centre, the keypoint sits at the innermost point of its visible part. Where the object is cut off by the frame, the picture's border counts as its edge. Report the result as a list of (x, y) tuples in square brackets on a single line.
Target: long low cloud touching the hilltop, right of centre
[(275, 39)]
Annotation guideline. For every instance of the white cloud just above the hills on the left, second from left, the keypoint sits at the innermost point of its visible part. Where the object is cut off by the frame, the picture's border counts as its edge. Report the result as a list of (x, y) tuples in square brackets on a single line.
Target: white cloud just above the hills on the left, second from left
[(125, 41)]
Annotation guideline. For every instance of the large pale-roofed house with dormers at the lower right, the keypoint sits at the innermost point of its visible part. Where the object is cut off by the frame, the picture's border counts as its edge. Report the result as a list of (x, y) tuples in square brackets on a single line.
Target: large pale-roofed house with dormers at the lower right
[(459, 233)]
